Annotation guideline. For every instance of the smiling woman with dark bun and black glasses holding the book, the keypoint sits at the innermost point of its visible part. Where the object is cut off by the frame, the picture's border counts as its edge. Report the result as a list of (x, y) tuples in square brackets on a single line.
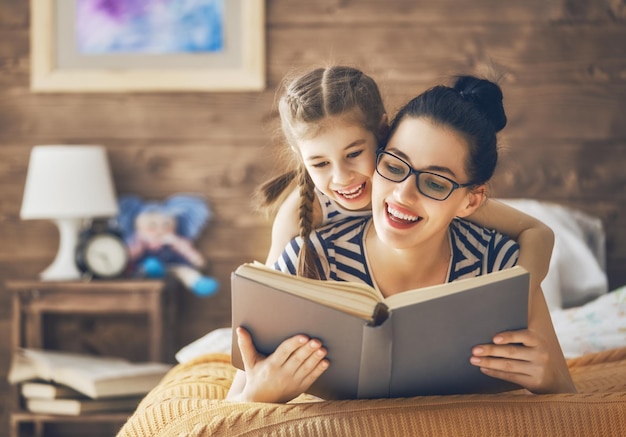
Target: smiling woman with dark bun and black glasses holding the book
[(433, 170)]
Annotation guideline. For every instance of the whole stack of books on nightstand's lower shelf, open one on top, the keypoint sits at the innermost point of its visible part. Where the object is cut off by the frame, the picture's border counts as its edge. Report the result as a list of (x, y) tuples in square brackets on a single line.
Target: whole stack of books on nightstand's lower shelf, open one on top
[(53, 382)]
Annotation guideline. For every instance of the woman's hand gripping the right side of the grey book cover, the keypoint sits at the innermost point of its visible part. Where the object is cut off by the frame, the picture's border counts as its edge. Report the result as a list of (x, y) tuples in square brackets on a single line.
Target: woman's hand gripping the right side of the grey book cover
[(522, 357)]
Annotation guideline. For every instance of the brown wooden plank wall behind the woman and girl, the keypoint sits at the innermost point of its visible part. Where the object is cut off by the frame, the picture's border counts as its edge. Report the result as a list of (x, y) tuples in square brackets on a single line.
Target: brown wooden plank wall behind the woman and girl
[(563, 69)]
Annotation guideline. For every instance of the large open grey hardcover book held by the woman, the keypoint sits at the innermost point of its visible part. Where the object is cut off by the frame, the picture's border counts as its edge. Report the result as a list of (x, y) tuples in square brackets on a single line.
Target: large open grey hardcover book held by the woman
[(417, 342)]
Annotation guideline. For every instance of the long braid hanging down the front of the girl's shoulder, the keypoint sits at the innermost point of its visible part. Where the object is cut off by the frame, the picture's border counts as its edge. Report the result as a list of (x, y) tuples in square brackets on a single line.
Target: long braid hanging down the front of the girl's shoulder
[(306, 259)]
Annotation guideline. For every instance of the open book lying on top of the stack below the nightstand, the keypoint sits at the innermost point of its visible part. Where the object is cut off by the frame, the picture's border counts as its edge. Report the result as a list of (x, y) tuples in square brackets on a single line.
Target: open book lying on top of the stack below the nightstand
[(92, 375)]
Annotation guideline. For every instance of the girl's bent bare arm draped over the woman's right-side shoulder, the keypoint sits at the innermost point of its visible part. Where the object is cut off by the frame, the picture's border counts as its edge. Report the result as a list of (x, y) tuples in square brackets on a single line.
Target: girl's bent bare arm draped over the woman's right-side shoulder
[(535, 239)]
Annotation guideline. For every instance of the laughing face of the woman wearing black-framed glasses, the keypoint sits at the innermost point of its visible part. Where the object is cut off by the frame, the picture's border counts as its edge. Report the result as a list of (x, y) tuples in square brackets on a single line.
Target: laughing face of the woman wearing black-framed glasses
[(404, 217)]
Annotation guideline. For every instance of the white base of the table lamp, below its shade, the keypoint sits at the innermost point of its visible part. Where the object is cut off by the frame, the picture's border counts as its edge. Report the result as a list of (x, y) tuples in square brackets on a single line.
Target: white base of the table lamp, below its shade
[(64, 267)]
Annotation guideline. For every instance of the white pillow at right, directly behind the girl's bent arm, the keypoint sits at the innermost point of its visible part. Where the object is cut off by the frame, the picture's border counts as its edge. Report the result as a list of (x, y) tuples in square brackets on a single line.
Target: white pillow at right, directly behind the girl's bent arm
[(577, 272)]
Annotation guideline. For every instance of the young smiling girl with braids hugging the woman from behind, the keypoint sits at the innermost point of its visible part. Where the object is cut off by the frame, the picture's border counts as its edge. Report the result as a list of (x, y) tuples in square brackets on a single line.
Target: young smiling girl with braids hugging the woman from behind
[(334, 119)]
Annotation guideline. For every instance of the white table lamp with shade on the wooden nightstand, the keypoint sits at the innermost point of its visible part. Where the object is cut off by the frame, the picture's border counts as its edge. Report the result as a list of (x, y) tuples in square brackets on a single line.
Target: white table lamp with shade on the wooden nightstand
[(68, 184)]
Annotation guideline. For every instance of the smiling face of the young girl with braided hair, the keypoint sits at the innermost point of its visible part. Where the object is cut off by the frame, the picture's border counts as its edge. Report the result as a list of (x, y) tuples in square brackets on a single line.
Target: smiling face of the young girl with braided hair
[(340, 161)]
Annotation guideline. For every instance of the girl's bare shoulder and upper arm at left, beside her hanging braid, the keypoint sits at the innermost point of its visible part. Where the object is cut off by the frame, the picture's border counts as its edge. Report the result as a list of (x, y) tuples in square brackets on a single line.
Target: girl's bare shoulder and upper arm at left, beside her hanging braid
[(286, 227)]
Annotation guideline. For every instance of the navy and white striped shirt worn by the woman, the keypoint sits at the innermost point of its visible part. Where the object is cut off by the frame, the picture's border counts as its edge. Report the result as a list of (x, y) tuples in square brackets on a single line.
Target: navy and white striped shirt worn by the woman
[(341, 253)]
